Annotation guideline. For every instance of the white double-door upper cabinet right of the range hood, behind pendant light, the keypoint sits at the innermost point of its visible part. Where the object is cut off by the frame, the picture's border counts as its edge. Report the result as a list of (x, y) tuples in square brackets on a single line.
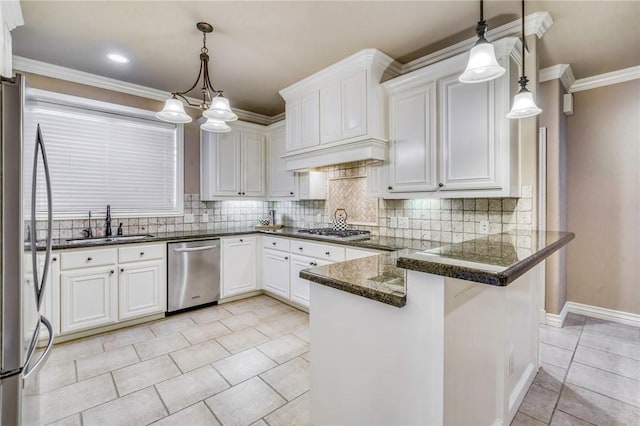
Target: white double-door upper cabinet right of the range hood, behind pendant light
[(452, 139)]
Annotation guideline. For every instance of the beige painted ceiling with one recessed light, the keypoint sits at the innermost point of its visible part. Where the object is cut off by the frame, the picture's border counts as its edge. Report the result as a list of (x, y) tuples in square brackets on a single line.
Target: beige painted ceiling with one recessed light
[(260, 47)]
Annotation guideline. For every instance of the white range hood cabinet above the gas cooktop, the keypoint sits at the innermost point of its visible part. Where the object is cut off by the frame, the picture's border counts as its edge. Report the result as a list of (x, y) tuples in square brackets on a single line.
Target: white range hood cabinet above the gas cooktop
[(349, 112)]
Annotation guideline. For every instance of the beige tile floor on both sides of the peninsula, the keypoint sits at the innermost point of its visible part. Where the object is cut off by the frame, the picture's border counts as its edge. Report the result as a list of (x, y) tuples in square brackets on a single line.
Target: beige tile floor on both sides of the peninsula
[(247, 362)]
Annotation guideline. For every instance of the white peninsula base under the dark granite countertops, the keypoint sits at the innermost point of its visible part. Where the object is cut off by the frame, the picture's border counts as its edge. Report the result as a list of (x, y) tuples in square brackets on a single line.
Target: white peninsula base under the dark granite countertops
[(458, 353)]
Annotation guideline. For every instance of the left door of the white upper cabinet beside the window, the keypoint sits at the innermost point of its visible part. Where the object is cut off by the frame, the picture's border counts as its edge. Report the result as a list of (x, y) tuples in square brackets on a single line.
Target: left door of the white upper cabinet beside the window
[(226, 161)]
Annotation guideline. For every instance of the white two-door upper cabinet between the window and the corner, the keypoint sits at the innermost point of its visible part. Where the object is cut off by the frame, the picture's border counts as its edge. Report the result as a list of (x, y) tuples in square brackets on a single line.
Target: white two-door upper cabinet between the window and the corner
[(233, 164)]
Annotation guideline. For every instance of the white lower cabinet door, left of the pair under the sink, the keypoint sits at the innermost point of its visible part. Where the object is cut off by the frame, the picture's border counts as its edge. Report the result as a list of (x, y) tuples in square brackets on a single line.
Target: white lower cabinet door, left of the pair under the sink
[(88, 298)]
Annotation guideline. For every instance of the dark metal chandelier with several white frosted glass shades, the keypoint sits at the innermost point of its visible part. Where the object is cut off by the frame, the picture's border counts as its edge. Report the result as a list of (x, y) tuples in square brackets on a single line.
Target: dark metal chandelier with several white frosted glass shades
[(215, 107)]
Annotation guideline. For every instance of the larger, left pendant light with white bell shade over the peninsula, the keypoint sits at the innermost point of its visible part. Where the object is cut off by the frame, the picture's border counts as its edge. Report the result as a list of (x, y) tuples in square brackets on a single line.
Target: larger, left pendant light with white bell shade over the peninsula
[(482, 65)]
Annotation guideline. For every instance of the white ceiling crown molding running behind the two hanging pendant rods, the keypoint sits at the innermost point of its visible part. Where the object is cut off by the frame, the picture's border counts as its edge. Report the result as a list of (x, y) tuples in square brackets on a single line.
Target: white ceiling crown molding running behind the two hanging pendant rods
[(536, 23)]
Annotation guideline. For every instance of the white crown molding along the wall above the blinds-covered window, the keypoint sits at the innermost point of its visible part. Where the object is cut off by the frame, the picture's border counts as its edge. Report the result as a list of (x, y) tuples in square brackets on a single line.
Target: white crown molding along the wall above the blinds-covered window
[(62, 73)]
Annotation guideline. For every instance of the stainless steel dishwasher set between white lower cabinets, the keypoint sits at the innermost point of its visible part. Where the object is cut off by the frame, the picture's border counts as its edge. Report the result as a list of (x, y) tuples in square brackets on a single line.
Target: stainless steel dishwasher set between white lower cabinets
[(193, 274)]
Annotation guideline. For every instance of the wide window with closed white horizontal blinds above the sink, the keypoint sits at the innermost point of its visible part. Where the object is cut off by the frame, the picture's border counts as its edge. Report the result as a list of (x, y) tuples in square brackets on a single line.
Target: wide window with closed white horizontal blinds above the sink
[(103, 154)]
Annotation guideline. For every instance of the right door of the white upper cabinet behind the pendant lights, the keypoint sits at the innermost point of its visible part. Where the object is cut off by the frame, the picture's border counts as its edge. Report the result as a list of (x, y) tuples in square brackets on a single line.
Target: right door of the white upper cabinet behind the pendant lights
[(468, 145)]
